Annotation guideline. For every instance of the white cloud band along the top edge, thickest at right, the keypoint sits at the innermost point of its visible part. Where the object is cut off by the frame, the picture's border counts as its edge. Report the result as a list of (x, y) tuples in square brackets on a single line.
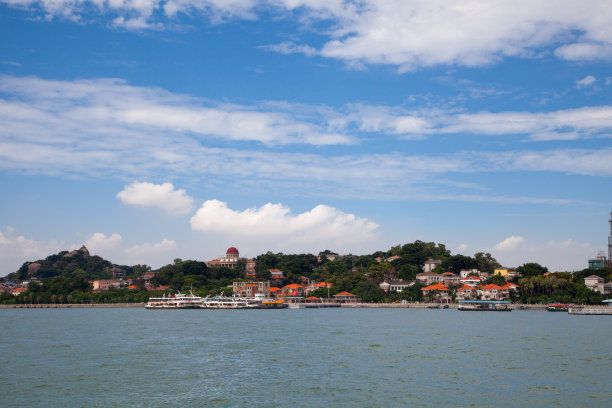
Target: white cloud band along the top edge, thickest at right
[(406, 34)]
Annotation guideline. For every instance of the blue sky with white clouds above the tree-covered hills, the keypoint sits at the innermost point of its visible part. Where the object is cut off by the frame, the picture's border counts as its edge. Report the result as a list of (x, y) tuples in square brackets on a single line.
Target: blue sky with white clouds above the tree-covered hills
[(150, 130)]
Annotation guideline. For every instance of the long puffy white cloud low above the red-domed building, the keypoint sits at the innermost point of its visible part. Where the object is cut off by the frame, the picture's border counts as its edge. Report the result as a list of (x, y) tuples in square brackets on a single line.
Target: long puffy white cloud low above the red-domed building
[(274, 224)]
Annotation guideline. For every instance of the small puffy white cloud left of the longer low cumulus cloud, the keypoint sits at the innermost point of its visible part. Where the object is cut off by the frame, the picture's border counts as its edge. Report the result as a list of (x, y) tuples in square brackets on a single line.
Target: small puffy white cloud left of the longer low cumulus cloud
[(163, 196)]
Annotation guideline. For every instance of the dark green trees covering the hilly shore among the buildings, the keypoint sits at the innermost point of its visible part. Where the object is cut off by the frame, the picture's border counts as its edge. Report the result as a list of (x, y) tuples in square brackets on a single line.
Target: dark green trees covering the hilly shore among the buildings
[(67, 277)]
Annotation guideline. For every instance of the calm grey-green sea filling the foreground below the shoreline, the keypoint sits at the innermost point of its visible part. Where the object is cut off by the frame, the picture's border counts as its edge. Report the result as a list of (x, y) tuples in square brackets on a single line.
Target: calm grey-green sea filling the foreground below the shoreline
[(132, 357)]
